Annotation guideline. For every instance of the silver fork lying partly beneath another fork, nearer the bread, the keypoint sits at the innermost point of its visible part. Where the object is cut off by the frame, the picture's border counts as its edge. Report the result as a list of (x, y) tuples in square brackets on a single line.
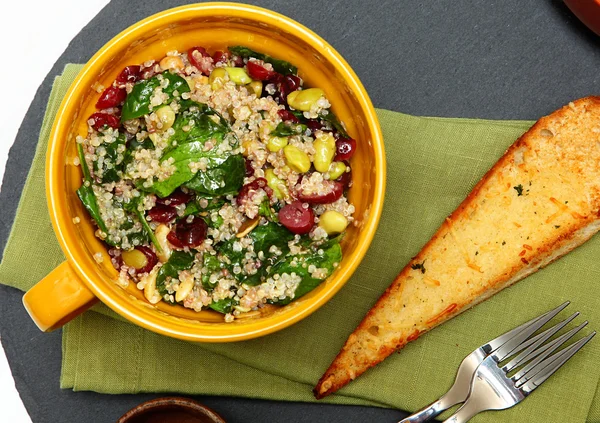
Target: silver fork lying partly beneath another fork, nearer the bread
[(459, 391)]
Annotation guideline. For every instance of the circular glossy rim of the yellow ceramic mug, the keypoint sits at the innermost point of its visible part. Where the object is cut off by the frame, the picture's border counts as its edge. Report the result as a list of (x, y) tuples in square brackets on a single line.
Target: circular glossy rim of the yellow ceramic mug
[(58, 210)]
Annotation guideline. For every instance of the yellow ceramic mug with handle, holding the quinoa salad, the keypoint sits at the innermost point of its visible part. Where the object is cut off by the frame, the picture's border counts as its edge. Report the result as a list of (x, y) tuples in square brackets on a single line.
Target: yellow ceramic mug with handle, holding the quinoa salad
[(81, 280)]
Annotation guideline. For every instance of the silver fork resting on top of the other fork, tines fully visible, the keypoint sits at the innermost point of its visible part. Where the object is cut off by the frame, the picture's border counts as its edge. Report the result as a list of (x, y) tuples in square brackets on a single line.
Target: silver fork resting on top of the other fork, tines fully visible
[(492, 389)]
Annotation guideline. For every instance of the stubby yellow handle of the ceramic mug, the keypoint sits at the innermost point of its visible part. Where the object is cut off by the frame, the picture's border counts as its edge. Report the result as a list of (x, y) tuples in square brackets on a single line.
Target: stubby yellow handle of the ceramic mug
[(58, 298)]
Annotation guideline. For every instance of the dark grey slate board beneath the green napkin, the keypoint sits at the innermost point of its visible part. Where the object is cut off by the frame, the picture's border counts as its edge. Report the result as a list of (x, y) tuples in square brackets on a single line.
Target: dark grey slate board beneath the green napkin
[(508, 59)]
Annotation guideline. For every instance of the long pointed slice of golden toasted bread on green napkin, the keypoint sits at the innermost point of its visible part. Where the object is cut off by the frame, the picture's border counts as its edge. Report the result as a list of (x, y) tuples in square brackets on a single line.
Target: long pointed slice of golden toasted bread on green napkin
[(537, 203)]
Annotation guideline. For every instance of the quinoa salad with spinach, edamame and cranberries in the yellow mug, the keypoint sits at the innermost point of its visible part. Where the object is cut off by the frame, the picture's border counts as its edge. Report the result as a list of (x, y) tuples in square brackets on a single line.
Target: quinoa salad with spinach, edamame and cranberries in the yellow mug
[(217, 181)]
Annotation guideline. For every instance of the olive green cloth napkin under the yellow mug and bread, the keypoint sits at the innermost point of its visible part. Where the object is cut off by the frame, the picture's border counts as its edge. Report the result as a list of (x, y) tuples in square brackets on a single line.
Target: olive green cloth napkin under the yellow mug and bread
[(432, 164)]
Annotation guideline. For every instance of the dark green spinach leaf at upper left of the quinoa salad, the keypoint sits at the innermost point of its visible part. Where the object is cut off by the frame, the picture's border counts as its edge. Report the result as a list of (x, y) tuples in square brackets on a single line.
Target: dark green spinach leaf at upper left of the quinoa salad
[(137, 102)]
